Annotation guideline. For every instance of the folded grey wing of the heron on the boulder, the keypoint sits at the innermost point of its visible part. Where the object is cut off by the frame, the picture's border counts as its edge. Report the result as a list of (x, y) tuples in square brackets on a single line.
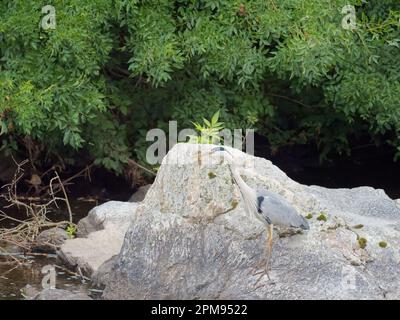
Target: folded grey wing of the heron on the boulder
[(277, 210)]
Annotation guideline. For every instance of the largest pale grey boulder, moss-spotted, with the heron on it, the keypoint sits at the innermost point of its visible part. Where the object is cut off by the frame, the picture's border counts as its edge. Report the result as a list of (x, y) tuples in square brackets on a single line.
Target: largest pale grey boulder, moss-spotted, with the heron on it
[(191, 238)]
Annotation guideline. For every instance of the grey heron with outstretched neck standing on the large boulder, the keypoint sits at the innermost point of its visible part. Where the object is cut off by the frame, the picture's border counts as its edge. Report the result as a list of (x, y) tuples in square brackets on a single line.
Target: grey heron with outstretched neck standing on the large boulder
[(268, 207)]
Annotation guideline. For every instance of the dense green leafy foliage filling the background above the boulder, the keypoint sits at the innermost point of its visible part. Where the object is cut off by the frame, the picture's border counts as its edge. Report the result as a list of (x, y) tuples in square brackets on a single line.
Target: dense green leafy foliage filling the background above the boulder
[(111, 70)]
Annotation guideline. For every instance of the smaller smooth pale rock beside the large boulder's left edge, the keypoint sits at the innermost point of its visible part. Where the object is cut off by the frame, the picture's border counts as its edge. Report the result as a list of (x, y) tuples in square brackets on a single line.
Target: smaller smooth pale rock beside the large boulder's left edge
[(104, 229)]
